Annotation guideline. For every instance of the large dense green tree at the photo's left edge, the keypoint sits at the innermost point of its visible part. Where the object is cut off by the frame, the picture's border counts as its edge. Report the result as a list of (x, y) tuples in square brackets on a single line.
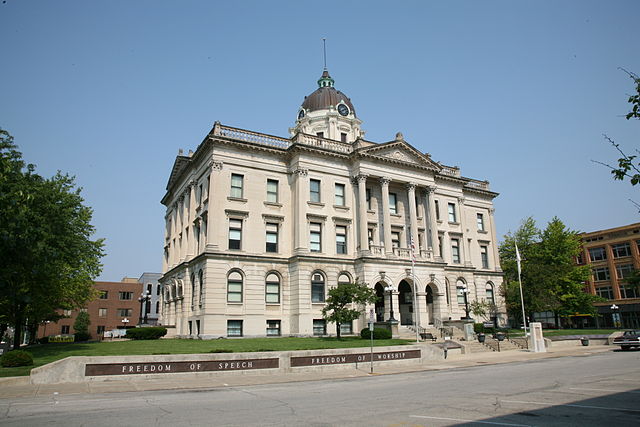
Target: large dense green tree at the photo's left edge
[(49, 260)]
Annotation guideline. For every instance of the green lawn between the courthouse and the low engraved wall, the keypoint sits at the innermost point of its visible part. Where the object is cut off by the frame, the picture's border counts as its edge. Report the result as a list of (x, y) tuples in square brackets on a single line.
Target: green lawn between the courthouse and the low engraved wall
[(47, 353)]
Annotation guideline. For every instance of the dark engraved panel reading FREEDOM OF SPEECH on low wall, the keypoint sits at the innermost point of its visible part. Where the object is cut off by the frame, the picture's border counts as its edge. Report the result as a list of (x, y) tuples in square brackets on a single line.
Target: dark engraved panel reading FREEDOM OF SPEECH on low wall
[(174, 367)]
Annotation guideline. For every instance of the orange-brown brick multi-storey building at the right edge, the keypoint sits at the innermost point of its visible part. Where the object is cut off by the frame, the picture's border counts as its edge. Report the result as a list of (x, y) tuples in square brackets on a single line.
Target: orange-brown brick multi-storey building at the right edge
[(613, 254)]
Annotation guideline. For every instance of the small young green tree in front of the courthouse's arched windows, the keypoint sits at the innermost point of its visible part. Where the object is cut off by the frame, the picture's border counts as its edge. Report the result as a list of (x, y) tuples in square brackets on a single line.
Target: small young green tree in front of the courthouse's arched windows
[(340, 303)]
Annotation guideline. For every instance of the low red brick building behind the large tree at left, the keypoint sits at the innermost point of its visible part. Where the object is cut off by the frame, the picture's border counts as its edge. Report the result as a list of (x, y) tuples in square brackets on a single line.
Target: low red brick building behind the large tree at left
[(116, 307)]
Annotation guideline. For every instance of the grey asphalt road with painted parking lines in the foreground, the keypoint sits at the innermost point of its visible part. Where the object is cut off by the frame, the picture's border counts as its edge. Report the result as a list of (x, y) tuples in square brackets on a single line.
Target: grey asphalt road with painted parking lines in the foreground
[(595, 390)]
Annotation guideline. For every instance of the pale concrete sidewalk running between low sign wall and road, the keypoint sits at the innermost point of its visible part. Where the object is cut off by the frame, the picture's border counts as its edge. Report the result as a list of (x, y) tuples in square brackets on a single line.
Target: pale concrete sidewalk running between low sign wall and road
[(15, 387)]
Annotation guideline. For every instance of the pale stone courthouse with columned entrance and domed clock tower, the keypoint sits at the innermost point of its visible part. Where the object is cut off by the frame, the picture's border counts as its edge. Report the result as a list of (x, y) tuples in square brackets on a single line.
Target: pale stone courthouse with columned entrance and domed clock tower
[(259, 228)]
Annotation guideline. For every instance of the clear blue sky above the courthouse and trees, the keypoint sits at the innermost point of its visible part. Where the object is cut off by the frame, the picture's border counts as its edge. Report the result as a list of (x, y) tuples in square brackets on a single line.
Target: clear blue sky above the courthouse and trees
[(518, 93)]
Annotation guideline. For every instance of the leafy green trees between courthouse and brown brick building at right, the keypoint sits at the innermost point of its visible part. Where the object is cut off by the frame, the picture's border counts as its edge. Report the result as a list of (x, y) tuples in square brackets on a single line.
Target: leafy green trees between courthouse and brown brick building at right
[(551, 280)]
